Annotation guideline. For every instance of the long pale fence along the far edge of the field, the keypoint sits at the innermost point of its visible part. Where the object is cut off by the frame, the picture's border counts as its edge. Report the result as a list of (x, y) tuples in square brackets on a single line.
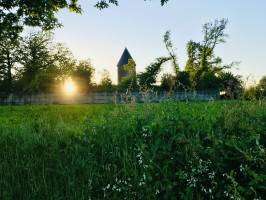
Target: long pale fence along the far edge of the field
[(103, 98)]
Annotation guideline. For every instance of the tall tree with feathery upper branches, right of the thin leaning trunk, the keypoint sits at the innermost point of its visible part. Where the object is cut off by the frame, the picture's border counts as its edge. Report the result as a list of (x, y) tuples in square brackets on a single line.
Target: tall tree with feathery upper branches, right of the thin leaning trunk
[(202, 64)]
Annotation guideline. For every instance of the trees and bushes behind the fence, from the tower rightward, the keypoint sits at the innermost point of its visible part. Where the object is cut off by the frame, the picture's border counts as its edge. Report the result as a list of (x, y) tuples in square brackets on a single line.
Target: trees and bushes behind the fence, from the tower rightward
[(203, 70)]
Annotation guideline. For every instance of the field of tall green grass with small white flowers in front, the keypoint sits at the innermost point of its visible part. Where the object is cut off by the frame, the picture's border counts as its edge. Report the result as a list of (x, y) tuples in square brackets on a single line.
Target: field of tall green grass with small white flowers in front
[(171, 150)]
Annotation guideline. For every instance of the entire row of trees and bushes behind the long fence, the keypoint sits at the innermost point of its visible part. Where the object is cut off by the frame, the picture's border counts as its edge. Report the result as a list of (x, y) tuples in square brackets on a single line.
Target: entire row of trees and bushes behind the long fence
[(35, 64)]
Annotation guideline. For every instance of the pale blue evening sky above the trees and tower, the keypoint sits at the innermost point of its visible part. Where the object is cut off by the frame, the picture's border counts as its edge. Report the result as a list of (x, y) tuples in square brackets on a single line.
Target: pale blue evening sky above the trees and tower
[(140, 25)]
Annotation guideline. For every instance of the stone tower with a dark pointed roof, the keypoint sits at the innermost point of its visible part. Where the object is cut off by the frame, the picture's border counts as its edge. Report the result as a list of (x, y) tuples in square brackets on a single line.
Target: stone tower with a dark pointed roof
[(122, 62)]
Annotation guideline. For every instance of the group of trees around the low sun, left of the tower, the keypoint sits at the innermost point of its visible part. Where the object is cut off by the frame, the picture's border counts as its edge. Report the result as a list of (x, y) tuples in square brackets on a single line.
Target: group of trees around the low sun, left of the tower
[(34, 64)]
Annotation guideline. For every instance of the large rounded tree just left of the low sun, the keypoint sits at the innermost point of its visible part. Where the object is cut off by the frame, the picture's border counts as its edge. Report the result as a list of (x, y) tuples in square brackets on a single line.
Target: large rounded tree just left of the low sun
[(44, 65)]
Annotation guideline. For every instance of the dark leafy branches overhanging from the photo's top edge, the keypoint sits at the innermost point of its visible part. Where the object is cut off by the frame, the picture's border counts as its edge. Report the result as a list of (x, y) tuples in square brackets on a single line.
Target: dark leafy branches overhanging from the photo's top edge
[(15, 14)]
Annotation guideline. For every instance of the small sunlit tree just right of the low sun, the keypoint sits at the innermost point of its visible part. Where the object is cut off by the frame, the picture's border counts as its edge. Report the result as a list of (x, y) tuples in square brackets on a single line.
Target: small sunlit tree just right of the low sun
[(82, 75)]
